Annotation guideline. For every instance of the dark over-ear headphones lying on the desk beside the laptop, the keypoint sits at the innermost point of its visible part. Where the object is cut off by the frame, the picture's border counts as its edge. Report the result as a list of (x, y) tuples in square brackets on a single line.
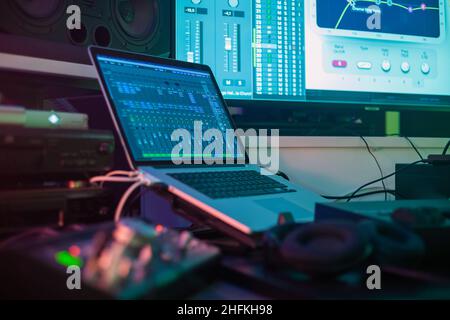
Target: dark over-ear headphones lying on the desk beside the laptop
[(330, 248)]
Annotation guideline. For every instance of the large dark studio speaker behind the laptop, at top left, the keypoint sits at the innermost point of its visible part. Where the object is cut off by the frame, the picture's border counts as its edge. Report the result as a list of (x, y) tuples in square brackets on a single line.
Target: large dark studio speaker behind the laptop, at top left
[(38, 27)]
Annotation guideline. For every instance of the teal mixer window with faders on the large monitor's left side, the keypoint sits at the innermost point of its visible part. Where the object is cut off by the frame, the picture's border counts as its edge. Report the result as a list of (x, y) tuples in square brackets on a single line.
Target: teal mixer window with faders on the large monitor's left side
[(255, 50)]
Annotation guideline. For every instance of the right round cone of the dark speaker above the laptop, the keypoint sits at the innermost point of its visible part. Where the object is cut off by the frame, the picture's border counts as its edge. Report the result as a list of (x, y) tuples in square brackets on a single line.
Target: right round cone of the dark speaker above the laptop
[(138, 19)]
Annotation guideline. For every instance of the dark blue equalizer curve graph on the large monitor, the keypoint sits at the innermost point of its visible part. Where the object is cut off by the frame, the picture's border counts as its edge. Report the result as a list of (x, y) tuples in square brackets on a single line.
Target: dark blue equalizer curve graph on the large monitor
[(400, 20)]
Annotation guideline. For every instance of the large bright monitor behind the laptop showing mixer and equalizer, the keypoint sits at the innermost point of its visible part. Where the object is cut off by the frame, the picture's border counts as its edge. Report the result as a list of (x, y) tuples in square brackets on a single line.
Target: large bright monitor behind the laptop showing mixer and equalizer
[(382, 52)]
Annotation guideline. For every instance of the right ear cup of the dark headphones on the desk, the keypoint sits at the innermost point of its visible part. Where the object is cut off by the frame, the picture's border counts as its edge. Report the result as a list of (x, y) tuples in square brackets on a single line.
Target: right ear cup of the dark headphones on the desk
[(394, 245)]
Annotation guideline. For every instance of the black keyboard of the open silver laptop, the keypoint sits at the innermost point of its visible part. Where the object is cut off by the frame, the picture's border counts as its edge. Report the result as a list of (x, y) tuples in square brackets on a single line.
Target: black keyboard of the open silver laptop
[(231, 184)]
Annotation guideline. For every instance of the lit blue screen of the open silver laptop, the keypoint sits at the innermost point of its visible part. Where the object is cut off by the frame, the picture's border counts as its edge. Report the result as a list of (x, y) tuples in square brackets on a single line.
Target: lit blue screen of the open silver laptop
[(158, 104)]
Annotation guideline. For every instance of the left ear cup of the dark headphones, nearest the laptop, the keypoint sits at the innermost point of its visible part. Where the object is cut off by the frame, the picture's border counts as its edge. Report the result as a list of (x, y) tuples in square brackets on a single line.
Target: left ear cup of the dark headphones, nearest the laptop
[(325, 248)]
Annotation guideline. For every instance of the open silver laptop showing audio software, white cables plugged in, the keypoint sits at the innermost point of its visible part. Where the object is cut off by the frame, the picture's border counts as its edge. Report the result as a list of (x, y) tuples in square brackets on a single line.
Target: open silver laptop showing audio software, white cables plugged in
[(149, 98)]
